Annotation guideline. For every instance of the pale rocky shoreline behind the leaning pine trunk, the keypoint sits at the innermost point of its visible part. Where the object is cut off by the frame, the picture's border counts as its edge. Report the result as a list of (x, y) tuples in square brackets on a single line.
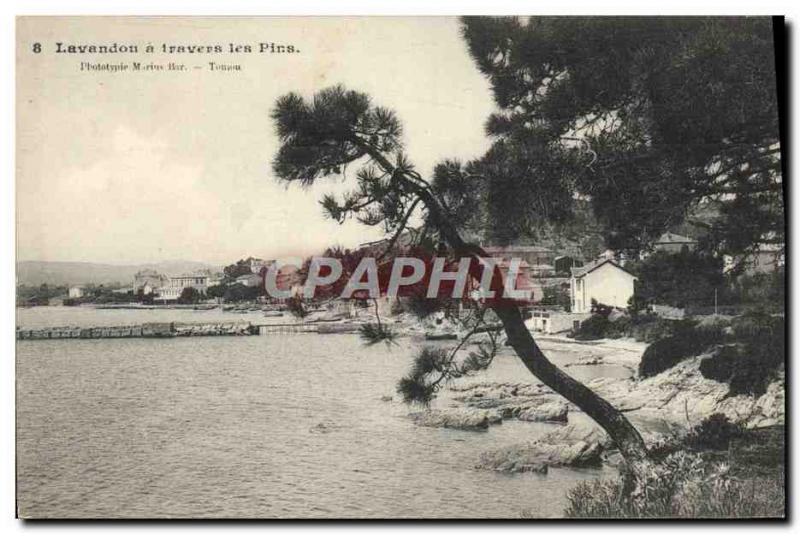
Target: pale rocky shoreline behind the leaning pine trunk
[(663, 408)]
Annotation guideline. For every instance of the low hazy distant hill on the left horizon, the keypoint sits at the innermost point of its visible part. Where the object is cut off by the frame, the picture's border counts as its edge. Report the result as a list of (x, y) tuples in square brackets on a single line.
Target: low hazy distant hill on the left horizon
[(74, 273)]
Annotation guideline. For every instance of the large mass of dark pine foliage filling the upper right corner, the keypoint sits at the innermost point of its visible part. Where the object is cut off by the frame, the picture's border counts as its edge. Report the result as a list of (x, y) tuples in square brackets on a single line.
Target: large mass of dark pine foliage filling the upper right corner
[(648, 118)]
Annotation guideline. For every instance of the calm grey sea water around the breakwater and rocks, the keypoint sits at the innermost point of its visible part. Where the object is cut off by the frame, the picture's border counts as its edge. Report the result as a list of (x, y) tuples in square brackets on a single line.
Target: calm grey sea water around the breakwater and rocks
[(260, 426)]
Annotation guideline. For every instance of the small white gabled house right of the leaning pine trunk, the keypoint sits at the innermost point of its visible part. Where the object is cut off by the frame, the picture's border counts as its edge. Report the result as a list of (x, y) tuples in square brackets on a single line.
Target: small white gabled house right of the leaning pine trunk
[(604, 281)]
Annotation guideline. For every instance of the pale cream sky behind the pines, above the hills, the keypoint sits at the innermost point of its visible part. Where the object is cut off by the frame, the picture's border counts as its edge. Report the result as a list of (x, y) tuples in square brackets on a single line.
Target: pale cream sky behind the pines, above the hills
[(136, 167)]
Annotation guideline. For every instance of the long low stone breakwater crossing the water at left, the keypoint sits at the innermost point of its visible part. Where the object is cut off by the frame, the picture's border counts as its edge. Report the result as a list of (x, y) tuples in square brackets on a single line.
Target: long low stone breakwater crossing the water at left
[(150, 330)]
